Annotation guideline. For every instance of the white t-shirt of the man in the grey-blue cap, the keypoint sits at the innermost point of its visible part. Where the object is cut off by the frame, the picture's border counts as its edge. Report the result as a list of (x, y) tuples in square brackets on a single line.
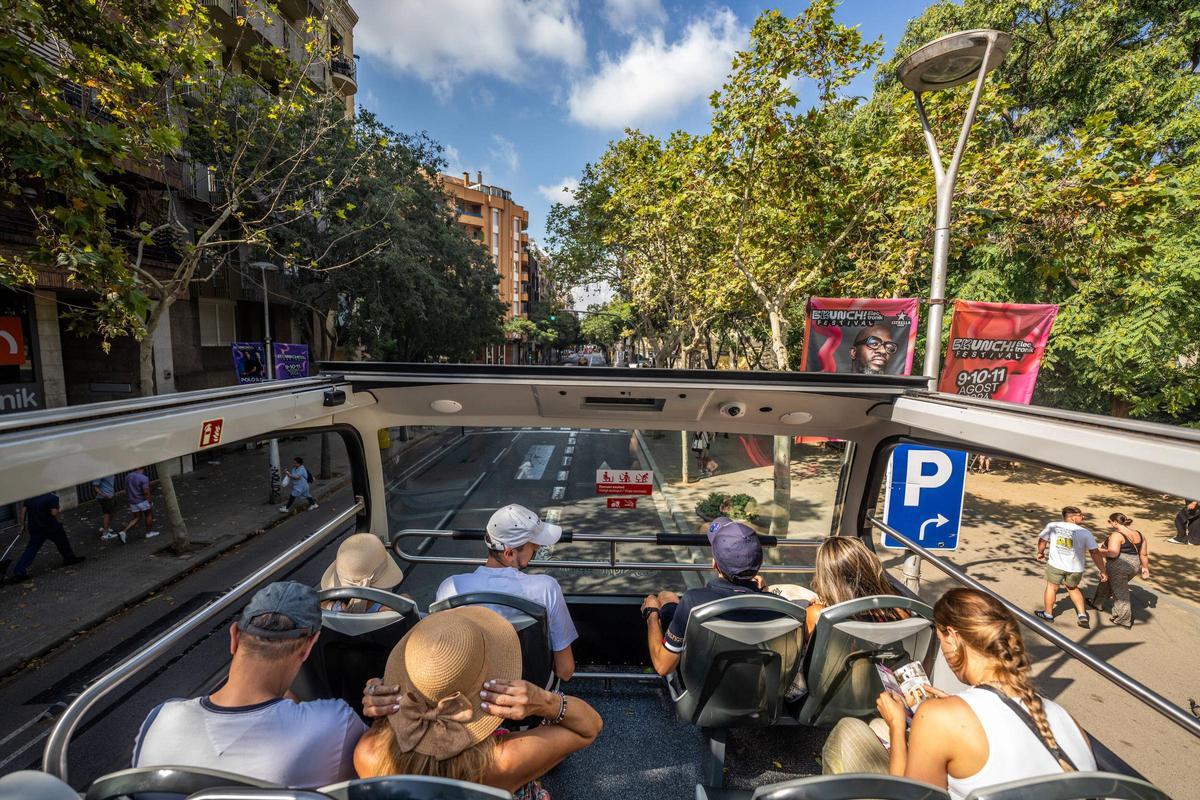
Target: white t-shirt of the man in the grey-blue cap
[(302, 745)]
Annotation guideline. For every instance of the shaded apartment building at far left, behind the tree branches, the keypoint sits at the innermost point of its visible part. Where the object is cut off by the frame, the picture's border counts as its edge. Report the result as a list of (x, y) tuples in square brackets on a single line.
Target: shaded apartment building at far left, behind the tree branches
[(45, 363)]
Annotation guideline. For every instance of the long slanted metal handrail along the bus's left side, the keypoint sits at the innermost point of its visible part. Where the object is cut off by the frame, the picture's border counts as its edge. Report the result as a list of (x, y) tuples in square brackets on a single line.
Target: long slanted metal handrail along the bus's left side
[(55, 759)]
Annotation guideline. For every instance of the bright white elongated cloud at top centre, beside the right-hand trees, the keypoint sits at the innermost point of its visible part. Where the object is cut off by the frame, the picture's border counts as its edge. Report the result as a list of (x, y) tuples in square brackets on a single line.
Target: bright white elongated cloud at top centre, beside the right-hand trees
[(653, 80)]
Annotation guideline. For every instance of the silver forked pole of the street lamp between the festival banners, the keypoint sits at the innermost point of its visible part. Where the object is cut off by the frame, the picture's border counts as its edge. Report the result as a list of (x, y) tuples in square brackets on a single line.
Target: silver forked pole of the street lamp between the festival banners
[(945, 179)]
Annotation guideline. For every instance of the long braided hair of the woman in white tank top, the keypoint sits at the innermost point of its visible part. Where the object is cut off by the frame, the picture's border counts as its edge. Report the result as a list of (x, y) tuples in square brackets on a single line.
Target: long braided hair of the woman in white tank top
[(986, 627)]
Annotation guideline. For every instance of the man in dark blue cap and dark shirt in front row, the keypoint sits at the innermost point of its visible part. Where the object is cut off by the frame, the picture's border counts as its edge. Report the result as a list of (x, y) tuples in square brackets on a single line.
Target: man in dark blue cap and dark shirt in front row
[(737, 556)]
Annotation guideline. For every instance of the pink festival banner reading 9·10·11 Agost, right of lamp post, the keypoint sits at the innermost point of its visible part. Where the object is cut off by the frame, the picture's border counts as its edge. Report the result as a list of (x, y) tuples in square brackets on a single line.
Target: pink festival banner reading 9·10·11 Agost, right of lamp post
[(997, 350)]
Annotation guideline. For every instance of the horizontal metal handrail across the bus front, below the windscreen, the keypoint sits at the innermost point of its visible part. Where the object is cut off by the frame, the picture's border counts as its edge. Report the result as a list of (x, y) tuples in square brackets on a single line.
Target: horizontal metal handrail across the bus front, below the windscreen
[(674, 540)]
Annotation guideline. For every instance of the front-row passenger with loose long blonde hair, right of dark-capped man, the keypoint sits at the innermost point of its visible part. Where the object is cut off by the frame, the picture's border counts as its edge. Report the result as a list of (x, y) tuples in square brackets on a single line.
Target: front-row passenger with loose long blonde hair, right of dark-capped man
[(845, 569)]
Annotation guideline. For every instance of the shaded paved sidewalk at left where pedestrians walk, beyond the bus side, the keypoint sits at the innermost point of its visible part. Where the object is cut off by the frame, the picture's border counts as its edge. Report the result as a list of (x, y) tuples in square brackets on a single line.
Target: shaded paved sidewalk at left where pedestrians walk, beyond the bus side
[(224, 502)]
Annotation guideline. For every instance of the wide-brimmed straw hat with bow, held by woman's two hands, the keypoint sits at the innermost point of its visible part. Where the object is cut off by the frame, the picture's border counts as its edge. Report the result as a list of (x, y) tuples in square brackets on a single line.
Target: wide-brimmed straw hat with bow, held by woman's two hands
[(441, 667)]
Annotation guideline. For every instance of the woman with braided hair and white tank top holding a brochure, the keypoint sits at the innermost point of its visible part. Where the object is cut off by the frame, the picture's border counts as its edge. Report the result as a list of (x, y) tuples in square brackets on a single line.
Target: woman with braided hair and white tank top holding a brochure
[(998, 731)]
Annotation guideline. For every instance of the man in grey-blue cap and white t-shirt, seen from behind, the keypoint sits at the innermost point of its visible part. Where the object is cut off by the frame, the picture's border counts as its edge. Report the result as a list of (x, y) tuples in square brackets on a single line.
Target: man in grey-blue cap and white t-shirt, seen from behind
[(251, 726)]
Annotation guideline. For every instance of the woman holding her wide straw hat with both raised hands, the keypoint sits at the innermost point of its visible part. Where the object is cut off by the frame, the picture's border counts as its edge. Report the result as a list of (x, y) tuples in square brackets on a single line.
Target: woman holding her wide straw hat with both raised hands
[(447, 688)]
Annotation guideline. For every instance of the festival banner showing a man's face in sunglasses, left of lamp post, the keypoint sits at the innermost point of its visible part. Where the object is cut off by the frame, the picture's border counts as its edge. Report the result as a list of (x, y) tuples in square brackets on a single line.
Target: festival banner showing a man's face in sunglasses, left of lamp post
[(862, 336)]
